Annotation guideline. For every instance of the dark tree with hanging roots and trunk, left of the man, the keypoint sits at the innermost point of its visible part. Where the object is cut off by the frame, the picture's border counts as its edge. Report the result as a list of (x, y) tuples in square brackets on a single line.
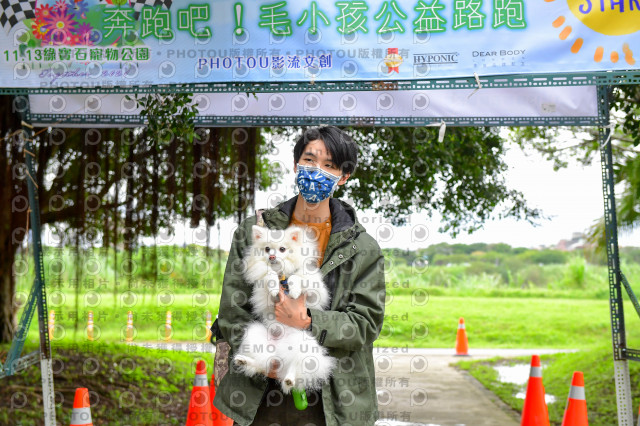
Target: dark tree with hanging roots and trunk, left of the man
[(114, 186)]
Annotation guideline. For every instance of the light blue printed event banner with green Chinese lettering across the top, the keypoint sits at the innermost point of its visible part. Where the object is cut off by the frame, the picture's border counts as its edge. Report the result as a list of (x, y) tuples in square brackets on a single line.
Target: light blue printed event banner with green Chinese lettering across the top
[(90, 43)]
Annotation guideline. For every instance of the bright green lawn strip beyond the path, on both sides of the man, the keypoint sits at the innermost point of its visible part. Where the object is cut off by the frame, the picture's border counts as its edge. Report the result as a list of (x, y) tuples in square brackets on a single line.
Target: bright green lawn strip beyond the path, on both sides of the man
[(491, 322)]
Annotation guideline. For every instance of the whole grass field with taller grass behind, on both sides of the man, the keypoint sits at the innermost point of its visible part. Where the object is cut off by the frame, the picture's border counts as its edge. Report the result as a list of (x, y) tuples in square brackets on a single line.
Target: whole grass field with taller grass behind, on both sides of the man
[(562, 306)]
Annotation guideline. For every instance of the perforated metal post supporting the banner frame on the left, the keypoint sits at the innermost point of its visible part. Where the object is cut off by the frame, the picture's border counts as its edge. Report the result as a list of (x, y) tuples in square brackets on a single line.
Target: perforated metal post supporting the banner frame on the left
[(48, 396)]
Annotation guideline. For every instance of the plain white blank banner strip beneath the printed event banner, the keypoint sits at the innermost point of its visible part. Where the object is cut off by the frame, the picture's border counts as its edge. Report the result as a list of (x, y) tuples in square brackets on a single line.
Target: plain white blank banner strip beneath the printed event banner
[(409, 106)]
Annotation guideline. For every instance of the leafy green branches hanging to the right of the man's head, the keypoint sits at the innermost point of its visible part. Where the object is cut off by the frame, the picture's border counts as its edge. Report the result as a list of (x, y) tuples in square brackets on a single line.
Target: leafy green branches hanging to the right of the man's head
[(408, 170)]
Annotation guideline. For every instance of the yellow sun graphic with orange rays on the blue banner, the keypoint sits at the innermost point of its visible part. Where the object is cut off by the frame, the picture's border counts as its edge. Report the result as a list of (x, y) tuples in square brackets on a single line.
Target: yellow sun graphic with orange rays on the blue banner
[(608, 17)]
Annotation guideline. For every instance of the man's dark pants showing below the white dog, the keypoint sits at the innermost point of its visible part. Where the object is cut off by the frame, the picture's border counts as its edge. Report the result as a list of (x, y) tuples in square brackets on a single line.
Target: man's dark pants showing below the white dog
[(278, 409)]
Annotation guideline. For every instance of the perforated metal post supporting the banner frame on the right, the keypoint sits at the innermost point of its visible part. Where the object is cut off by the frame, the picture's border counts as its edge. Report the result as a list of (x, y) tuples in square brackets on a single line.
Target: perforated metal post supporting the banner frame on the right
[(620, 363)]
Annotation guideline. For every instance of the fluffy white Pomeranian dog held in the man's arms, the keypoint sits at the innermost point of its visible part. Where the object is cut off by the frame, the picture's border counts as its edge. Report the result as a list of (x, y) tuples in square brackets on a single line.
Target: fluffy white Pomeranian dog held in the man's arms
[(303, 362)]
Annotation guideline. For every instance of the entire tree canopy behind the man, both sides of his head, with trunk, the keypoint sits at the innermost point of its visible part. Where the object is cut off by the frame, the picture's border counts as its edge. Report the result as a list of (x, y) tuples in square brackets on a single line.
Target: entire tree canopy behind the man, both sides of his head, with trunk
[(113, 186)]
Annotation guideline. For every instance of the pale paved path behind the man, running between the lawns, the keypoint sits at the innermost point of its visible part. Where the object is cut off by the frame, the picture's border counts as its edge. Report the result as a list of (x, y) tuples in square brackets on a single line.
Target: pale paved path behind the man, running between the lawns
[(418, 387)]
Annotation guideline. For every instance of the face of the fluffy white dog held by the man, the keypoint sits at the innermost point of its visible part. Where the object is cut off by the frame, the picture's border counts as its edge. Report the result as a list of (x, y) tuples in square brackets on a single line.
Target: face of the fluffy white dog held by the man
[(280, 249)]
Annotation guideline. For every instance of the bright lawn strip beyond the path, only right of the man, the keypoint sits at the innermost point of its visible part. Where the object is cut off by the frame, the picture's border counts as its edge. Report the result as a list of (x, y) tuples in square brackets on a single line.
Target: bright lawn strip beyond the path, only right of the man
[(504, 322)]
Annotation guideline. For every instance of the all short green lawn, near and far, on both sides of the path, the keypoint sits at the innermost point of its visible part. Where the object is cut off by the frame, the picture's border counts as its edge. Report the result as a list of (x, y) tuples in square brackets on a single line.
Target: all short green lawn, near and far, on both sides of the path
[(533, 318)]
